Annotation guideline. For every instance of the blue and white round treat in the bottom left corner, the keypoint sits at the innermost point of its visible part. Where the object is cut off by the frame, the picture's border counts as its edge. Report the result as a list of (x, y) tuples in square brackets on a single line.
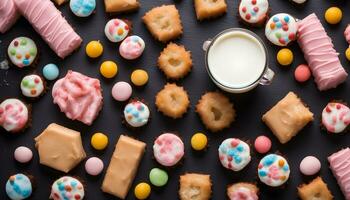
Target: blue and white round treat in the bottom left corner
[(18, 187)]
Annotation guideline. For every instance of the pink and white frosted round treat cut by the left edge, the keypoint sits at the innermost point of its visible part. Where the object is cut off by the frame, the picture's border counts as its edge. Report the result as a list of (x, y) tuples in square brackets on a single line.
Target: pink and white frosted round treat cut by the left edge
[(14, 115)]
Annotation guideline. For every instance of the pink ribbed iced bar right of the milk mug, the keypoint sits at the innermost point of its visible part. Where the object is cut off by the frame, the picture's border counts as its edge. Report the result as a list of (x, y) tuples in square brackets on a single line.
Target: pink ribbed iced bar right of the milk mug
[(320, 54)]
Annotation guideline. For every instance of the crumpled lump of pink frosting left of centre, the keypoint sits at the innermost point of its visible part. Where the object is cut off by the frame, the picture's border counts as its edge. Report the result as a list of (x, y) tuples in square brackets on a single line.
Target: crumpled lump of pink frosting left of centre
[(78, 96)]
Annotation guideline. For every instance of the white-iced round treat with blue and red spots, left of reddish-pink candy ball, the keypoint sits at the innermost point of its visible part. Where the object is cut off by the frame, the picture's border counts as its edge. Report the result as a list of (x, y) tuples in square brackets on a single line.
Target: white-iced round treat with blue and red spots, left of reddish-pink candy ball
[(234, 154)]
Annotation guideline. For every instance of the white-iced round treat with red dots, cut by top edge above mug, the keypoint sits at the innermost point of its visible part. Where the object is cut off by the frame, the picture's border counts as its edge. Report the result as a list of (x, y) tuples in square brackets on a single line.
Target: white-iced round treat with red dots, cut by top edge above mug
[(253, 12)]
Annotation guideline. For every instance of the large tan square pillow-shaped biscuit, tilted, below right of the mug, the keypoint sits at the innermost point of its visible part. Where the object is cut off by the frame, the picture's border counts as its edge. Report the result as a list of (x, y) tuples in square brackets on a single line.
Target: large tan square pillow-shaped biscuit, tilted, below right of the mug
[(287, 117)]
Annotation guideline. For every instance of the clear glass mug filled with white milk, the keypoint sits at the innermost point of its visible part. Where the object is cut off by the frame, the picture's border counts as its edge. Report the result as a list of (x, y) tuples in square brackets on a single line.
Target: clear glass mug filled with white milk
[(236, 60)]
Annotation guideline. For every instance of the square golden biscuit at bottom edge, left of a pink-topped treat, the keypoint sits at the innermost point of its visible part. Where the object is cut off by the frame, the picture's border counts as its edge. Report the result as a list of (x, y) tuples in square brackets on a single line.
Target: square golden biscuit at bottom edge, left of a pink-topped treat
[(195, 187)]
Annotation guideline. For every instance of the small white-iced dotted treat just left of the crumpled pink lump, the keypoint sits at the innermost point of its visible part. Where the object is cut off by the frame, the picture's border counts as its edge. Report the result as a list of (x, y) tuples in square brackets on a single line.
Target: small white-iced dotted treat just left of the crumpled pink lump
[(32, 86)]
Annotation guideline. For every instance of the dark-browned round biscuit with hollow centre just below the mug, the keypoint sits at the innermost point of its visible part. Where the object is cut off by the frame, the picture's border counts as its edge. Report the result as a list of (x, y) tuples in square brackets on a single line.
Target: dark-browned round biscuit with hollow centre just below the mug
[(216, 111)]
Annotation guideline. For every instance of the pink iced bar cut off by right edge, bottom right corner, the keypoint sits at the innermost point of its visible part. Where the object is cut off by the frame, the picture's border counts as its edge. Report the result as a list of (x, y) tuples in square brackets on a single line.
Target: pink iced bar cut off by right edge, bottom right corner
[(340, 165)]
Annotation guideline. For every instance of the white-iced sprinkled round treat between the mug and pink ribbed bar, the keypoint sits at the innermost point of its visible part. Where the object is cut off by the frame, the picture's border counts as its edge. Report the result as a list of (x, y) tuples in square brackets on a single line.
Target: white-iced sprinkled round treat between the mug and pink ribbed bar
[(281, 29)]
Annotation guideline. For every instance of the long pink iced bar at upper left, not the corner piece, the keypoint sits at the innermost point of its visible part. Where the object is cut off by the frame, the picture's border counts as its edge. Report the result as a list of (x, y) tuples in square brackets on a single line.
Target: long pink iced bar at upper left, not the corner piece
[(51, 25)]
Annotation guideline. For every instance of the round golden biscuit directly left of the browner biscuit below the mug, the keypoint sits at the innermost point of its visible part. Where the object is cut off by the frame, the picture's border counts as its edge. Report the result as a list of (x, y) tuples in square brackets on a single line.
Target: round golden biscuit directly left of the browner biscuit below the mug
[(172, 101)]
